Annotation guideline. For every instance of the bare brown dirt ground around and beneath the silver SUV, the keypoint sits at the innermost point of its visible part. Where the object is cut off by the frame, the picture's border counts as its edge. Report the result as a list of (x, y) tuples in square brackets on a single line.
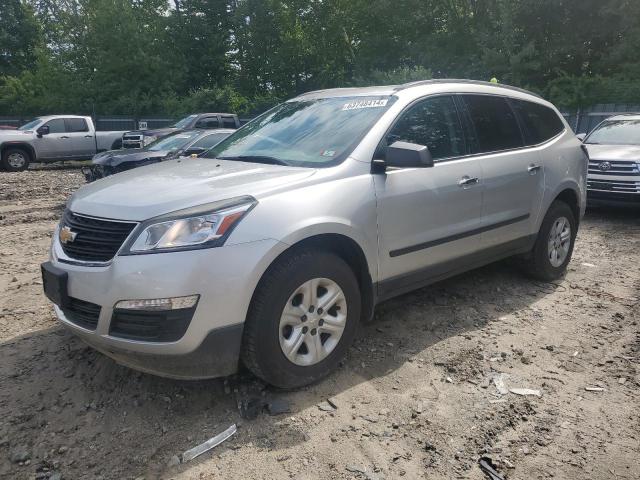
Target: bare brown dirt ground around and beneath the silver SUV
[(418, 397)]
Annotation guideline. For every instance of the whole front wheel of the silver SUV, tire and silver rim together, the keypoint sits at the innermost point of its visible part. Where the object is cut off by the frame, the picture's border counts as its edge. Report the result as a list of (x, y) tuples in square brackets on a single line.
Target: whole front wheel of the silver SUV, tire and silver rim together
[(265, 337)]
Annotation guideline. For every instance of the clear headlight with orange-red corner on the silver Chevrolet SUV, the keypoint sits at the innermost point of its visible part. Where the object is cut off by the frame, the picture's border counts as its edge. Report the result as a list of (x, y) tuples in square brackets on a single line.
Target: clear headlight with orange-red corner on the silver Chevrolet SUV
[(189, 229)]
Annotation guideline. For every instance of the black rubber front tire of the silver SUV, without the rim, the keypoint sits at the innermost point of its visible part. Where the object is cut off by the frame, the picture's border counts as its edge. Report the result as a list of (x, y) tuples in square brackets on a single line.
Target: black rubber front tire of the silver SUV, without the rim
[(261, 350)]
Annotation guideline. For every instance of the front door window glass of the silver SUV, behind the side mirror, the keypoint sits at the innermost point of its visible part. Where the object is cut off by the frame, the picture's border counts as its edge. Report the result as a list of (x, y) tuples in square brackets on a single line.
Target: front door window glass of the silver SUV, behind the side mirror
[(432, 122)]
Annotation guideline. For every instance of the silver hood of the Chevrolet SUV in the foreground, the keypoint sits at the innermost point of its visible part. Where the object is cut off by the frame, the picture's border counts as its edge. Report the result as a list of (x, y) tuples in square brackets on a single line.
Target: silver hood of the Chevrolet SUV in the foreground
[(153, 190)]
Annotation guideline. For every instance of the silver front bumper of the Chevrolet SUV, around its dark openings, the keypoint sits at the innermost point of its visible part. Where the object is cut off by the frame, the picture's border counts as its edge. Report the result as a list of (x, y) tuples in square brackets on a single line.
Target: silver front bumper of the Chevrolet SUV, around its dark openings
[(224, 277)]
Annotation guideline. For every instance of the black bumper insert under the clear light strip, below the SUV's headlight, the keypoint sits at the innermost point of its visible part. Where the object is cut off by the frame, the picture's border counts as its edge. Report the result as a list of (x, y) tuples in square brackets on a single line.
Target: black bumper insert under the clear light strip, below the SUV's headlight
[(151, 326)]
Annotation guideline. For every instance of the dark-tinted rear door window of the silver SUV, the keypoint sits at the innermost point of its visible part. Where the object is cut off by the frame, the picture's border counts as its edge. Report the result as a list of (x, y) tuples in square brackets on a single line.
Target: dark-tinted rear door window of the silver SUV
[(495, 124)]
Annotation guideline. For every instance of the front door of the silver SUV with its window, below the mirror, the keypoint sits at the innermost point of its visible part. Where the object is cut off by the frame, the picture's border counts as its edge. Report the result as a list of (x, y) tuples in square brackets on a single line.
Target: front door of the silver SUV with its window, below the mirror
[(428, 218)]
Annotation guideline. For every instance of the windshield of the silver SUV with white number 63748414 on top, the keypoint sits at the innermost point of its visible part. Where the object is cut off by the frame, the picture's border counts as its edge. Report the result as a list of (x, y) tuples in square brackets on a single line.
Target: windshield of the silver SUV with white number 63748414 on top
[(308, 133)]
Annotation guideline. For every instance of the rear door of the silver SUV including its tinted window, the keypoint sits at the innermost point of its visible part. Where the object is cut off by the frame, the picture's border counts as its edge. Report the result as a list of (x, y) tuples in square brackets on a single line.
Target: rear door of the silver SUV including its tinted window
[(513, 174)]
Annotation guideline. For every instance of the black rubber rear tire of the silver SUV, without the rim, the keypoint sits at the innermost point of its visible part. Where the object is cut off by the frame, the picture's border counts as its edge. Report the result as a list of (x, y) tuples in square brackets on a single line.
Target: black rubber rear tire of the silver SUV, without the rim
[(538, 263)]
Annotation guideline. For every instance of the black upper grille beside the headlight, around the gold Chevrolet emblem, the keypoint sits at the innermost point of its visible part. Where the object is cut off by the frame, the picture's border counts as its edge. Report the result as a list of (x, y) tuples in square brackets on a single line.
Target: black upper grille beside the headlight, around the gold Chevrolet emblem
[(96, 240)]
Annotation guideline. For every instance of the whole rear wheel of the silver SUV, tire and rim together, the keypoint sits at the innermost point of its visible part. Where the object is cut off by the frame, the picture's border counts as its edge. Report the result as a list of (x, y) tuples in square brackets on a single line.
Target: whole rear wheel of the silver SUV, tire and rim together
[(541, 263)]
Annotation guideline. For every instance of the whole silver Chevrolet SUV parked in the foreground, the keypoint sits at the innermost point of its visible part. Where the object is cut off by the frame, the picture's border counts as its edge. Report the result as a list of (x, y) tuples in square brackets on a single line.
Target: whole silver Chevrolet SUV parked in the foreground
[(272, 248)]
